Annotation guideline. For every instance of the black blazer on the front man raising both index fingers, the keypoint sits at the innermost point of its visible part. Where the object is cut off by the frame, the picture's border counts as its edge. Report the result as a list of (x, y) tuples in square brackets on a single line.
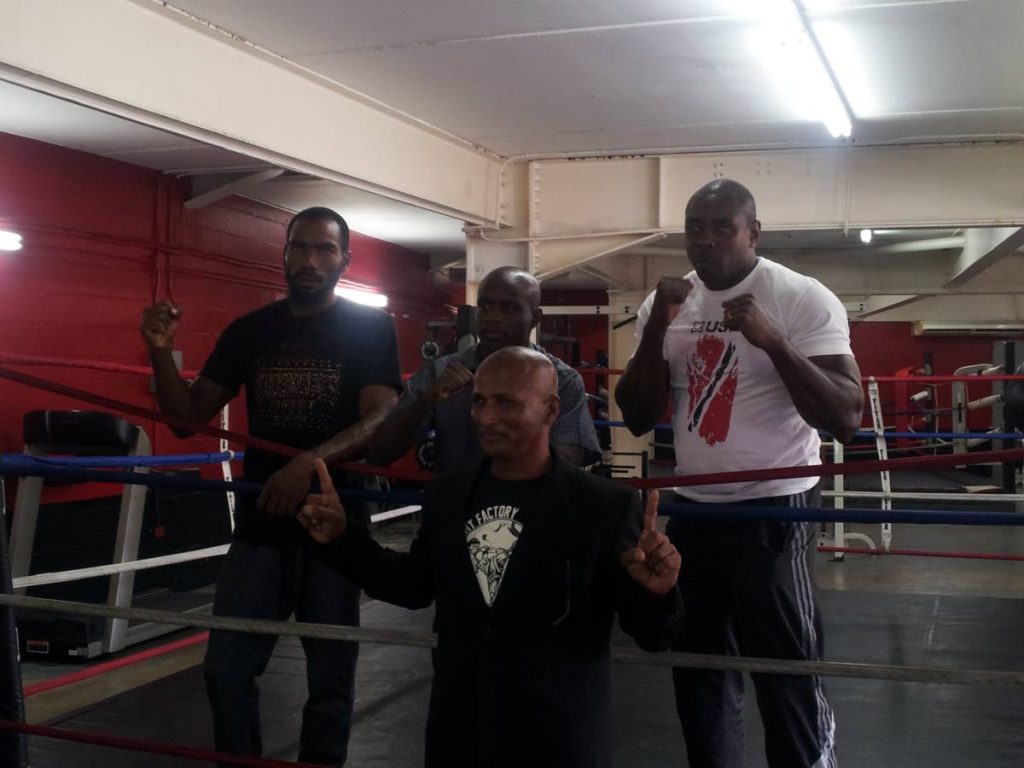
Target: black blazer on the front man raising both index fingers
[(525, 682)]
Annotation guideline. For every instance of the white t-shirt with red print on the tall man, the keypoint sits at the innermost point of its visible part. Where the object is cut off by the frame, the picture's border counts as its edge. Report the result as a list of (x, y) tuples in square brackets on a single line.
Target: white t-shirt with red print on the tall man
[(732, 410)]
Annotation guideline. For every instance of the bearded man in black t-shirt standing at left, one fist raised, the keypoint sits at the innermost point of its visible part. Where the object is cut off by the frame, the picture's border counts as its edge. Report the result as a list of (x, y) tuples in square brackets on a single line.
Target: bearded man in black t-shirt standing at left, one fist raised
[(320, 373)]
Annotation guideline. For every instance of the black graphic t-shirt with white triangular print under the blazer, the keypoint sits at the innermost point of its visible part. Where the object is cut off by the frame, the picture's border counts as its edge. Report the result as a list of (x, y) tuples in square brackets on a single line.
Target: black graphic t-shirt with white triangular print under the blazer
[(498, 516)]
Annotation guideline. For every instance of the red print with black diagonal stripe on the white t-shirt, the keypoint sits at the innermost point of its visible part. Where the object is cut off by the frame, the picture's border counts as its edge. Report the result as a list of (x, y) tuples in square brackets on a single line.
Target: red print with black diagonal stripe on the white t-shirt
[(712, 371)]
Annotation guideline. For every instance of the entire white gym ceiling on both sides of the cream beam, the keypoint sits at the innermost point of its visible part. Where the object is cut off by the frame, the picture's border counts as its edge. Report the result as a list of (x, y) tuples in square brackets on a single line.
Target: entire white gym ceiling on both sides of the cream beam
[(540, 77)]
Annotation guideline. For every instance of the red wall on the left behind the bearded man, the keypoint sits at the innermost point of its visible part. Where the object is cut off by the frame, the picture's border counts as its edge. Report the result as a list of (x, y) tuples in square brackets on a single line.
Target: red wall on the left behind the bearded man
[(104, 239)]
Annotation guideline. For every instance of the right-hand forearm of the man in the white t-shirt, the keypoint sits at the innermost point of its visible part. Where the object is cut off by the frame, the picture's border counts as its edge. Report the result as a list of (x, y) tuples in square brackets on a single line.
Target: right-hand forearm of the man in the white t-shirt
[(829, 401)]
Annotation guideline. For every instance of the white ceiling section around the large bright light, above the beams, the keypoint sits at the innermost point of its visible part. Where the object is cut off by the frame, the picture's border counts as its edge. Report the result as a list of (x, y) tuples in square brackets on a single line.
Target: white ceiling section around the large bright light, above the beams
[(536, 76)]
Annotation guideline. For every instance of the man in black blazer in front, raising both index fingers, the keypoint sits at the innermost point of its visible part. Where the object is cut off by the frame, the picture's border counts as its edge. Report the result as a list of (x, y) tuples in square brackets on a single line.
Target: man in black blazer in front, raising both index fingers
[(529, 560)]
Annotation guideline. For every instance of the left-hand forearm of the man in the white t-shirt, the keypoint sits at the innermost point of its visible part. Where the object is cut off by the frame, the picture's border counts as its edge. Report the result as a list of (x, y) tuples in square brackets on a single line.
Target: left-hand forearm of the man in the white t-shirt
[(643, 394)]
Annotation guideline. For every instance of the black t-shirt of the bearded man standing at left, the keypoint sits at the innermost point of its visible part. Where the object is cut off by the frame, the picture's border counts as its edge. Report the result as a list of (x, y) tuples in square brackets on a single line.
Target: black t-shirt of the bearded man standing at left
[(303, 378)]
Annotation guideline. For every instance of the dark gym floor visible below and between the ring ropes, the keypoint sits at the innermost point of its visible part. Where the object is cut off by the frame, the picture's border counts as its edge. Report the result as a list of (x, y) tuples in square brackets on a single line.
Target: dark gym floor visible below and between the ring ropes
[(878, 610)]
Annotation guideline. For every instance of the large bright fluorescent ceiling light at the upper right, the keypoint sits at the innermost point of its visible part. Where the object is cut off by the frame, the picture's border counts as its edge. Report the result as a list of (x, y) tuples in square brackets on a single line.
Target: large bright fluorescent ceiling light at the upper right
[(797, 63)]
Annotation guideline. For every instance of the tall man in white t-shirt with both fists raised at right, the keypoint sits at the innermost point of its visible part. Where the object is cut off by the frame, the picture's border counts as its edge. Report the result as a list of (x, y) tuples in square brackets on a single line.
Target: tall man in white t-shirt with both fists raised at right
[(757, 359)]
